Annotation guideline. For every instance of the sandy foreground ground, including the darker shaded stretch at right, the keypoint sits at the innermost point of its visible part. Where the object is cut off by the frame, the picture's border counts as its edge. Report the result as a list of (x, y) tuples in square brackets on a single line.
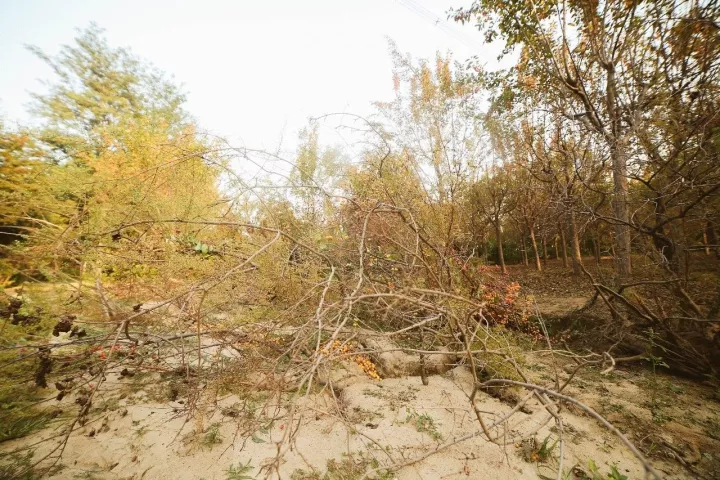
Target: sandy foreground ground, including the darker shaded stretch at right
[(135, 432)]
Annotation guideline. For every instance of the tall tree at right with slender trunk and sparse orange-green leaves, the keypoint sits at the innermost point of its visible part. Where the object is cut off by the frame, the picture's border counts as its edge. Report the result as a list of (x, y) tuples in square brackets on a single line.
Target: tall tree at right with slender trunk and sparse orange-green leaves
[(617, 70)]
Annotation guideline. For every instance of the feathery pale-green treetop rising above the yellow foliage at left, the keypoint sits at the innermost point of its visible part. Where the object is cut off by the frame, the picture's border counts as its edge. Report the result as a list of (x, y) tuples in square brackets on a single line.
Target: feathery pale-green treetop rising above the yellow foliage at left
[(99, 87)]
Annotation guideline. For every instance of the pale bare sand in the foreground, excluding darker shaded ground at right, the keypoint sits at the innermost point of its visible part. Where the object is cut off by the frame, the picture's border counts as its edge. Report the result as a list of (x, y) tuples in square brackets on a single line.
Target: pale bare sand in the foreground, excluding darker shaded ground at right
[(374, 423)]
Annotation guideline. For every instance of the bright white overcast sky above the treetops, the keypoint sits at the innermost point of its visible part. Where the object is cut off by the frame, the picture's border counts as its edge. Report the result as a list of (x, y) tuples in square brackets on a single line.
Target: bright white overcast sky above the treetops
[(253, 70)]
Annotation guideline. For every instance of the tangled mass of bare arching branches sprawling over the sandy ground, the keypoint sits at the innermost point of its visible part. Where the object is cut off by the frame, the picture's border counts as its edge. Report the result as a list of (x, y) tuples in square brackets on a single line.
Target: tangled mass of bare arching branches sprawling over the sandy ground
[(382, 293)]
